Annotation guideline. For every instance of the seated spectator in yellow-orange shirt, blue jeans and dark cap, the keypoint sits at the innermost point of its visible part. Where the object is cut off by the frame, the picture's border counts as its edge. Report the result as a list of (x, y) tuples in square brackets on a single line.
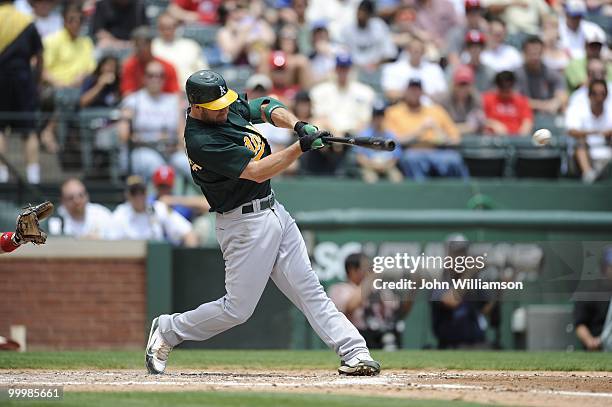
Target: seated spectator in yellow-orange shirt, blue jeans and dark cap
[(424, 131)]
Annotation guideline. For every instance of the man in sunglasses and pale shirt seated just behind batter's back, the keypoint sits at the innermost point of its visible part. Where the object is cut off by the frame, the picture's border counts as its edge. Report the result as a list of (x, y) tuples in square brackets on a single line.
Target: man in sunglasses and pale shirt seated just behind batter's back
[(151, 123)]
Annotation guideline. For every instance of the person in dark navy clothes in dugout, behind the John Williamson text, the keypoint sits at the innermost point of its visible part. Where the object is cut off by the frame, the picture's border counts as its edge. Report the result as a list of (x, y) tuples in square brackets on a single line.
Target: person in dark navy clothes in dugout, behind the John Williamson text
[(458, 317)]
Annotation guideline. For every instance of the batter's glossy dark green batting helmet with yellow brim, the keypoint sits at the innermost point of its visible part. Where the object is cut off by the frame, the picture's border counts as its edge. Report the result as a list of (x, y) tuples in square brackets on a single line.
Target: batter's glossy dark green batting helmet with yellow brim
[(208, 89)]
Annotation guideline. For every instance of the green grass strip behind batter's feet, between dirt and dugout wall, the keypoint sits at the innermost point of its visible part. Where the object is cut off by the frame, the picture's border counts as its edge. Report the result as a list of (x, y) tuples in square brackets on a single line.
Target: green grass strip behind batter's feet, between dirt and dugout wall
[(286, 359)]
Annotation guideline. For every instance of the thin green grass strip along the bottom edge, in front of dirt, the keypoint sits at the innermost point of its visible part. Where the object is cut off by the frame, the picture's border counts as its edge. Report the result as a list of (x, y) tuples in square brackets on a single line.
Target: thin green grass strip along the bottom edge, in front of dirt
[(228, 399)]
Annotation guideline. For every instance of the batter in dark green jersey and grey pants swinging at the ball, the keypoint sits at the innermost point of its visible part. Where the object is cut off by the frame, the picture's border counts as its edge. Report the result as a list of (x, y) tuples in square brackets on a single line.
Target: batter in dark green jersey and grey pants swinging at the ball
[(232, 163)]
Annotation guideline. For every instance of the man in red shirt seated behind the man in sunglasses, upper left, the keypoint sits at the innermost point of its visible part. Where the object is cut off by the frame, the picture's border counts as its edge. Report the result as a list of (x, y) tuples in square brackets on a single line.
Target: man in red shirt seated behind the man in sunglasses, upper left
[(134, 66)]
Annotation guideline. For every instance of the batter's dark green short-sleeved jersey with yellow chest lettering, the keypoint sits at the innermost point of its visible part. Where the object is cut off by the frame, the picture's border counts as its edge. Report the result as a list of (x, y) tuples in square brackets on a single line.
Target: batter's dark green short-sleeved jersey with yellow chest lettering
[(218, 153)]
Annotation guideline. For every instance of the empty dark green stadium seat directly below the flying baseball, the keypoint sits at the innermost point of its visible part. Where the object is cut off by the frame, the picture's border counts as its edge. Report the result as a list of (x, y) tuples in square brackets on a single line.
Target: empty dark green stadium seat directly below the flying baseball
[(538, 163)]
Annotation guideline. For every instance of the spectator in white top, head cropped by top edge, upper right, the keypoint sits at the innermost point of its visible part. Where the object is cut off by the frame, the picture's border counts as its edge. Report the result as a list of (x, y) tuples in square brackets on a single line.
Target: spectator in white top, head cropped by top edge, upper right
[(521, 16)]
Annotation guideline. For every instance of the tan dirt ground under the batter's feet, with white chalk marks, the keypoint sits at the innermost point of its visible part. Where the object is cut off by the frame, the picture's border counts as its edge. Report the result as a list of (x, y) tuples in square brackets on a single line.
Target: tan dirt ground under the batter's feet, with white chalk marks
[(497, 387)]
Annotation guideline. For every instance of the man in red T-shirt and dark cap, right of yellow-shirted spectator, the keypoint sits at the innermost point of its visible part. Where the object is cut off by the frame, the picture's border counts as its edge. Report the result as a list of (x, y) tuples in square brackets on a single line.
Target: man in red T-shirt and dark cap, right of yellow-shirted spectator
[(507, 111)]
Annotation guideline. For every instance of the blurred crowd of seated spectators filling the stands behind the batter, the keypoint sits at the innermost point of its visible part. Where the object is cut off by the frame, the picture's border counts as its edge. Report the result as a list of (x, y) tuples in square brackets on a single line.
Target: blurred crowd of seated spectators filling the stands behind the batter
[(429, 74)]
